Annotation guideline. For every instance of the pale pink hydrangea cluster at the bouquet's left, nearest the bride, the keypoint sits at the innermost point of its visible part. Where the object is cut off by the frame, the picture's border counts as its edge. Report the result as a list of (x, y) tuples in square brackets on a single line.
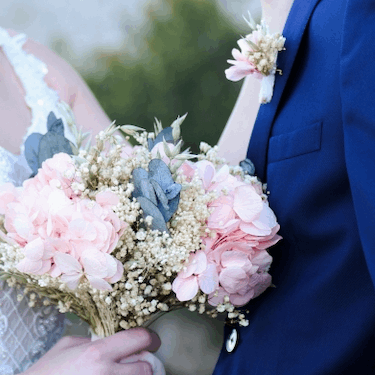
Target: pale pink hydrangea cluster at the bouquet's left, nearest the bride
[(61, 233)]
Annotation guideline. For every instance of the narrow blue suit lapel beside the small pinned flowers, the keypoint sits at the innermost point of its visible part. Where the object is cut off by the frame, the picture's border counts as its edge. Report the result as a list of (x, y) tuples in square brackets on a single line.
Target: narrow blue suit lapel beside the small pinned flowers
[(298, 18)]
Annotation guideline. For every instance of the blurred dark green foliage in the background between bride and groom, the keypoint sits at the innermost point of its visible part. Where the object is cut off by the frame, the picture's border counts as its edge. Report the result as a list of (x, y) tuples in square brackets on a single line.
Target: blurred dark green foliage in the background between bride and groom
[(181, 69)]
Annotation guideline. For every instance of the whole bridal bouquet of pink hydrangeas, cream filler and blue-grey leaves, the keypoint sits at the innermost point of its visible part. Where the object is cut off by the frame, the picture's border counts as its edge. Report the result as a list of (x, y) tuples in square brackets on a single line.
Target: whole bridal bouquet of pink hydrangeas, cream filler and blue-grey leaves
[(119, 235)]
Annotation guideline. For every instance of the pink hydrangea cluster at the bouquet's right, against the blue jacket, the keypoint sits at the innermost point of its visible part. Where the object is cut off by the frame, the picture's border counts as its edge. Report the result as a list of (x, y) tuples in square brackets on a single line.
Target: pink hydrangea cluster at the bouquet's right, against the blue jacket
[(235, 263)]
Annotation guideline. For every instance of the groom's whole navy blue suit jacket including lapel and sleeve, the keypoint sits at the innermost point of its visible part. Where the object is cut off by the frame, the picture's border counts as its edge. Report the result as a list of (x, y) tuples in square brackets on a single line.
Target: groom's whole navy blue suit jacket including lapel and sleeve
[(314, 144)]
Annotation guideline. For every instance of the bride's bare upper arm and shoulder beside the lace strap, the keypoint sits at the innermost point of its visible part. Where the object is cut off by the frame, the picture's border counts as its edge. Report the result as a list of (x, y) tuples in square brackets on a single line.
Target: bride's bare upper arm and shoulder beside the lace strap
[(70, 86)]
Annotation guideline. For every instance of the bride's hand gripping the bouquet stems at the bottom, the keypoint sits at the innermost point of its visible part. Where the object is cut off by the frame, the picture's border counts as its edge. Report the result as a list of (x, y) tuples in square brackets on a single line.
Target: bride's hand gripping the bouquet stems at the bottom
[(78, 355)]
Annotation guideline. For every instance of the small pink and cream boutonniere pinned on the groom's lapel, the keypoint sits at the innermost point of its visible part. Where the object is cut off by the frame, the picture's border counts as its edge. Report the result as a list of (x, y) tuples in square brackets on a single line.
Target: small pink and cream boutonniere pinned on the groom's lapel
[(258, 57)]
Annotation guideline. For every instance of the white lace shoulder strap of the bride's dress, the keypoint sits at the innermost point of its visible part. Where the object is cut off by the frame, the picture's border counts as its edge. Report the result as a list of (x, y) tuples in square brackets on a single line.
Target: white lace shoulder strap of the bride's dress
[(40, 98)]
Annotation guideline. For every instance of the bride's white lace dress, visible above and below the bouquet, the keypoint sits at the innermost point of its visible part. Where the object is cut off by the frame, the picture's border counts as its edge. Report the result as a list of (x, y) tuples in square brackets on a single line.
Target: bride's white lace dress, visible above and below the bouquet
[(26, 333)]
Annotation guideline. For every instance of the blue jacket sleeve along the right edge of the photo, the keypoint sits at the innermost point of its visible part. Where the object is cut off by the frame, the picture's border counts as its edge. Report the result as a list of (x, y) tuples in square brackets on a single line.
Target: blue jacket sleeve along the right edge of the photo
[(357, 76)]
